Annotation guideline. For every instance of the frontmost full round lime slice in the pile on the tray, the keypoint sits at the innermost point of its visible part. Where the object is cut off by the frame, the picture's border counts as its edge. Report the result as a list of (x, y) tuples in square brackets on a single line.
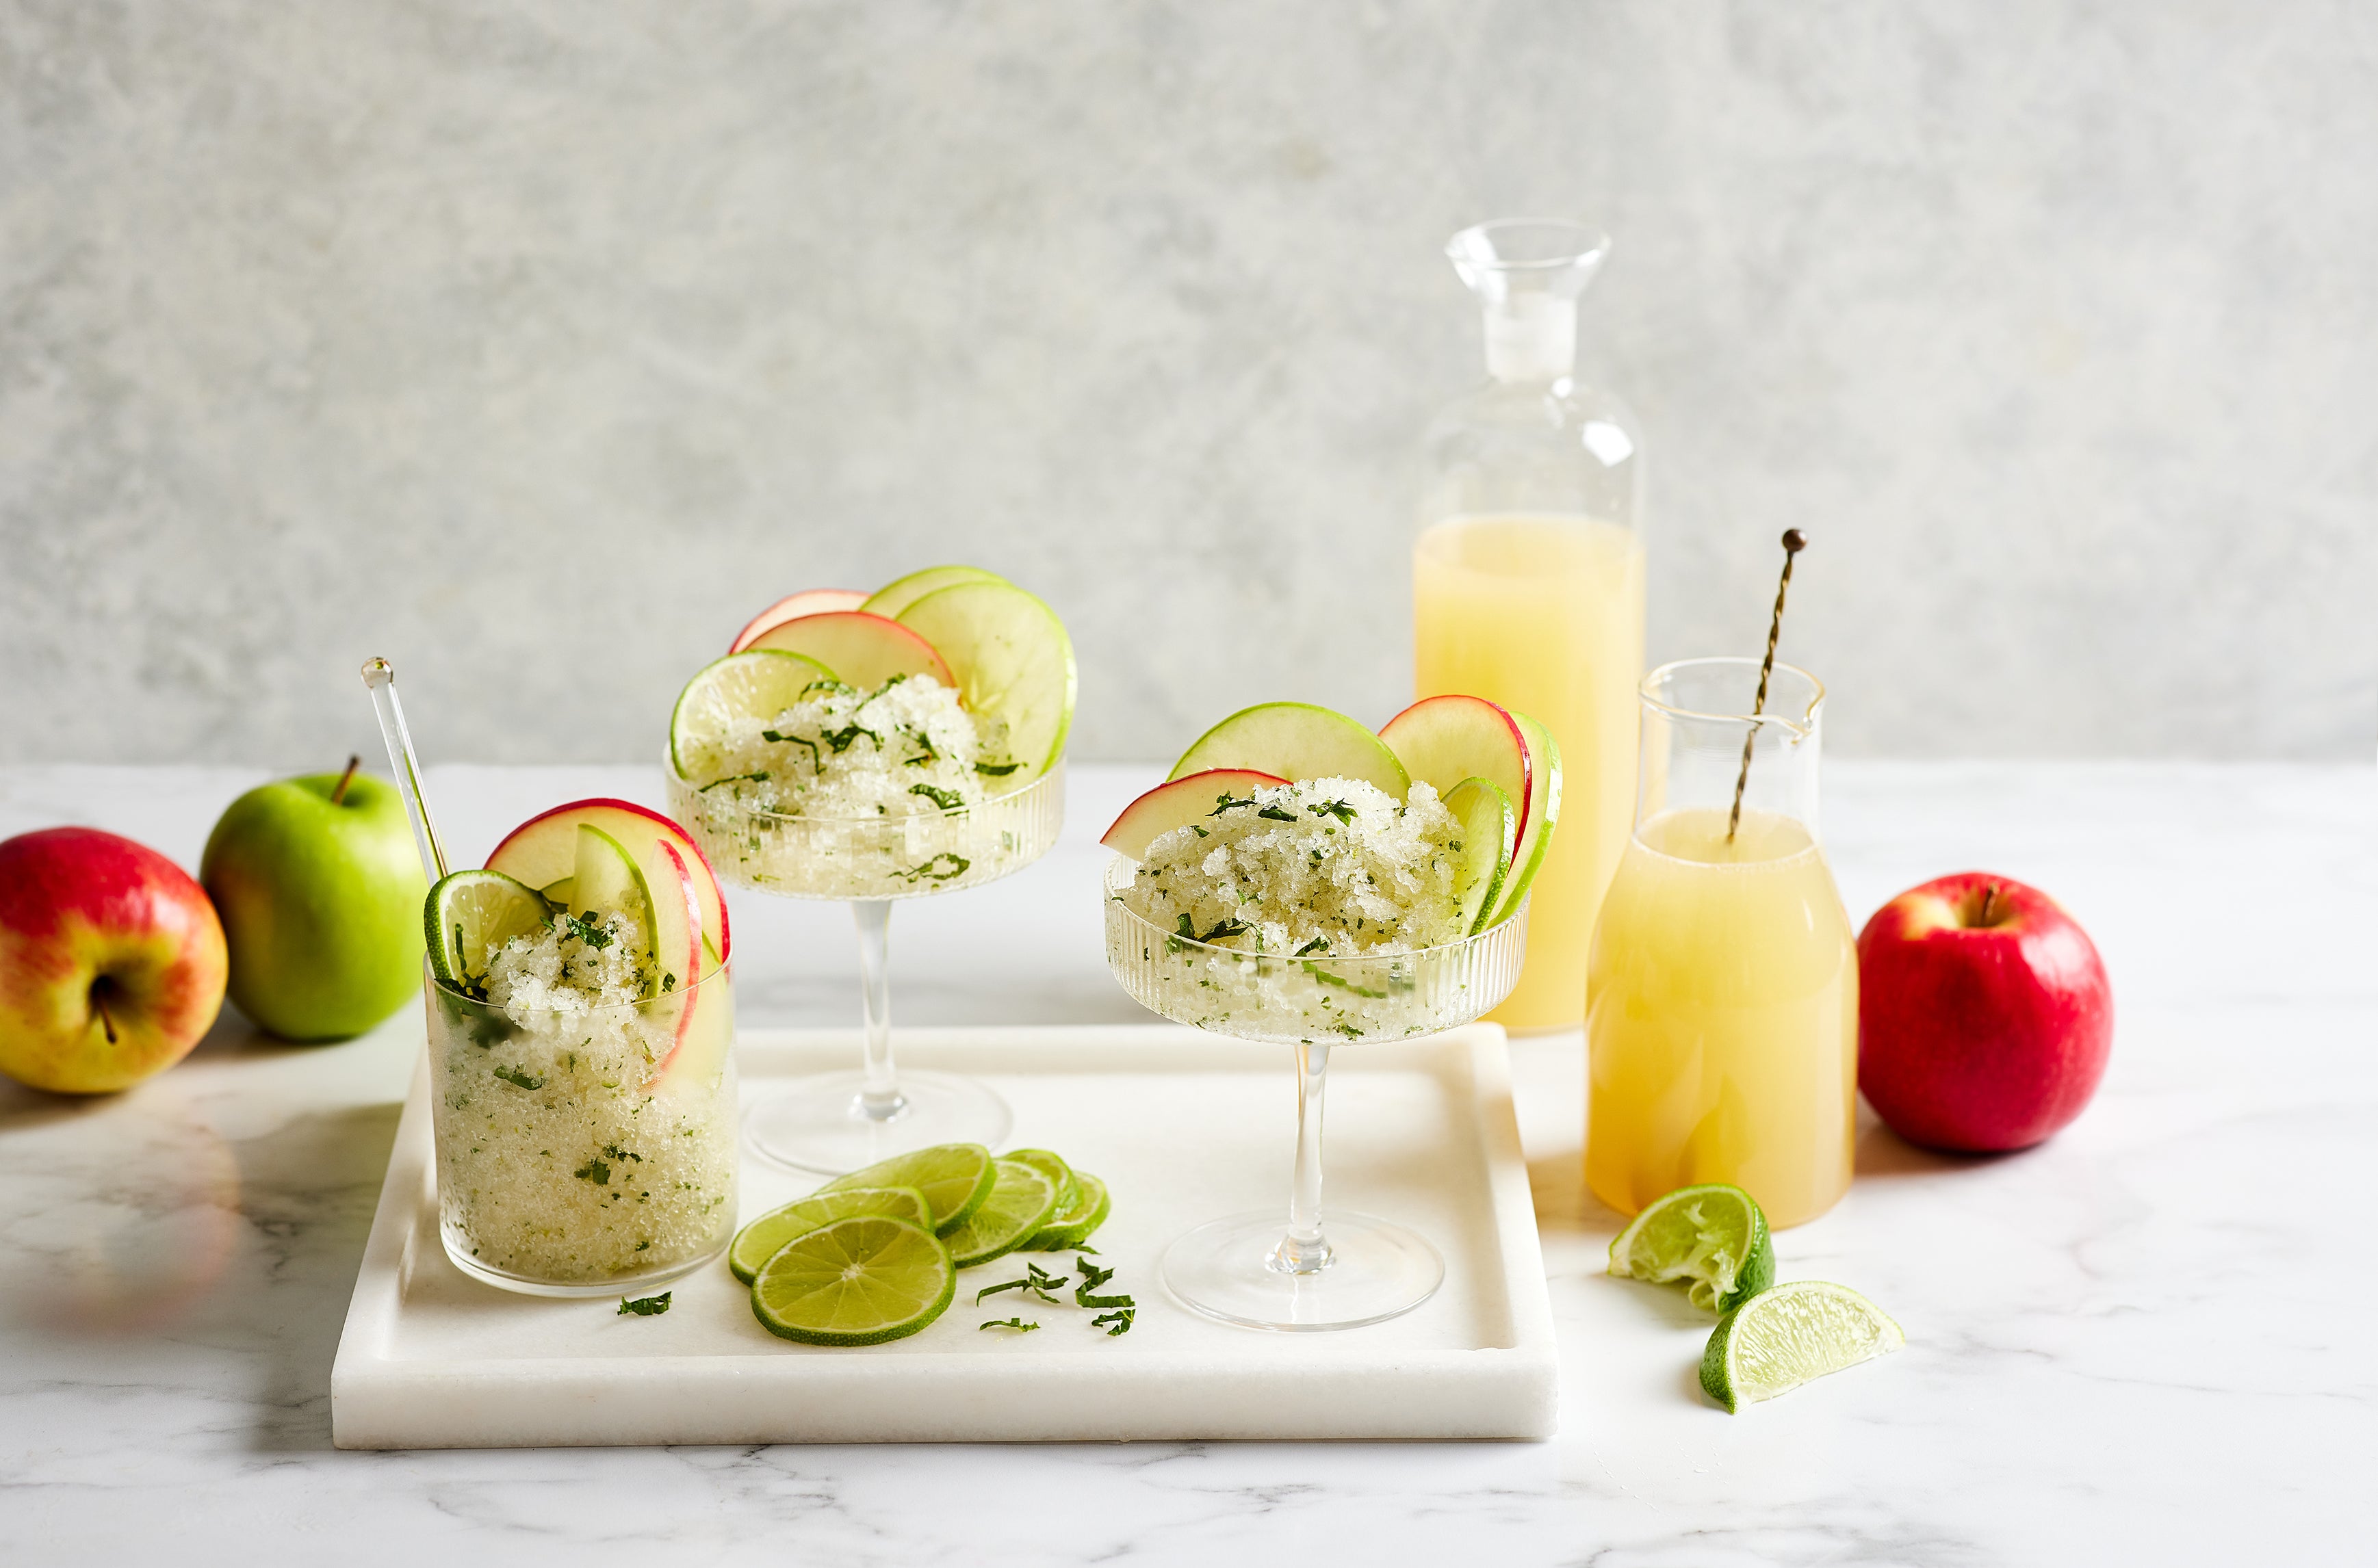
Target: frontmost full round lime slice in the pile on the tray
[(855, 1282)]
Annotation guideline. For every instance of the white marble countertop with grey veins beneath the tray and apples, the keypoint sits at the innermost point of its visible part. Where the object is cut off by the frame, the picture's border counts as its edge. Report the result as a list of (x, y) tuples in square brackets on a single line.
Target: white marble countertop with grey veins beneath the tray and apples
[(2144, 1341)]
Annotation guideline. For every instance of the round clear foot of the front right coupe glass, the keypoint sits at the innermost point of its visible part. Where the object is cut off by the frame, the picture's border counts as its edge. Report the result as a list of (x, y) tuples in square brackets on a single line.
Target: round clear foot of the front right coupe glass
[(1226, 1270)]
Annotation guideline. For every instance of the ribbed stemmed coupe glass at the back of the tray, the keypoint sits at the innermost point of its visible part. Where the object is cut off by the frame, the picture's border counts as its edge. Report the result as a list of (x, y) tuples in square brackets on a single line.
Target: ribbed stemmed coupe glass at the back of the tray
[(848, 1120)]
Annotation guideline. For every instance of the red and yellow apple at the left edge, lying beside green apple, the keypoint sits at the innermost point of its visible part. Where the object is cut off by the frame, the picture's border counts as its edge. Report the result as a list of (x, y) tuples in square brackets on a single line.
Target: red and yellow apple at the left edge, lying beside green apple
[(113, 963)]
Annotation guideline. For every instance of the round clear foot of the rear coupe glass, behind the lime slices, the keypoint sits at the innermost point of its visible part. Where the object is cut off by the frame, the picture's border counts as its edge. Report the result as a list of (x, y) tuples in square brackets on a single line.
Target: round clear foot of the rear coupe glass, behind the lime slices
[(822, 1125)]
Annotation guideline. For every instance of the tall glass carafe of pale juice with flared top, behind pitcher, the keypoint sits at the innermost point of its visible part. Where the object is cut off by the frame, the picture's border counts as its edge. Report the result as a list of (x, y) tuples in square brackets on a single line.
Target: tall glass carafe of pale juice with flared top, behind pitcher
[(1528, 576)]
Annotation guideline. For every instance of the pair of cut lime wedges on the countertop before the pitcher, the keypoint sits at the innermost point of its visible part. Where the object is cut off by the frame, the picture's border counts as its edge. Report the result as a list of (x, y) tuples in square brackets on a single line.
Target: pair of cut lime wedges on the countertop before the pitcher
[(1770, 1339)]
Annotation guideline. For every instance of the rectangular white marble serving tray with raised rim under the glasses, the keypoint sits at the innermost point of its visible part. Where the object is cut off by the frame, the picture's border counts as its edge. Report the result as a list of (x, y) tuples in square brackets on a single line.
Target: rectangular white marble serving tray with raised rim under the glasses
[(1181, 1125)]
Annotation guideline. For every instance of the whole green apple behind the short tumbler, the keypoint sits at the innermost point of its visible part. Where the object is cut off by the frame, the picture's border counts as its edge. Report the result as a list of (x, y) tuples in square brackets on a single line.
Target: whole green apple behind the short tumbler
[(320, 890)]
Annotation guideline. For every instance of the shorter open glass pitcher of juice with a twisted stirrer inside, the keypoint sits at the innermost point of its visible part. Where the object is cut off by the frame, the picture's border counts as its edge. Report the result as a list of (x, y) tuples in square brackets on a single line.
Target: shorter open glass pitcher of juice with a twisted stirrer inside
[(1723, 987)]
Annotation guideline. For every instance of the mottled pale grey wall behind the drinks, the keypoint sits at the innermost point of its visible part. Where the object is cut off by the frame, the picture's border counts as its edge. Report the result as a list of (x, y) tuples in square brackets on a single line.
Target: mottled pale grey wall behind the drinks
[(536, 343)]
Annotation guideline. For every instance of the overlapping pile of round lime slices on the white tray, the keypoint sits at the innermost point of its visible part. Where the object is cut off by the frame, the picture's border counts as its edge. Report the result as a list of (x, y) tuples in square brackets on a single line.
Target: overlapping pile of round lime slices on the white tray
[(876, 1256)]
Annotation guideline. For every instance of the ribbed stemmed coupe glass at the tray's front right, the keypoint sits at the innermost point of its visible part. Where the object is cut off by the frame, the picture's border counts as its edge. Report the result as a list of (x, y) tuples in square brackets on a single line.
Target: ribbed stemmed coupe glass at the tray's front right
[(1264, 1270)]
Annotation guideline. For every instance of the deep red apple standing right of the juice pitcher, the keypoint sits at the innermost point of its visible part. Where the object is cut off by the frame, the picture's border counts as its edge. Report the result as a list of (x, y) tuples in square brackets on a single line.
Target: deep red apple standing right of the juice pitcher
[(1984, 1013)]
